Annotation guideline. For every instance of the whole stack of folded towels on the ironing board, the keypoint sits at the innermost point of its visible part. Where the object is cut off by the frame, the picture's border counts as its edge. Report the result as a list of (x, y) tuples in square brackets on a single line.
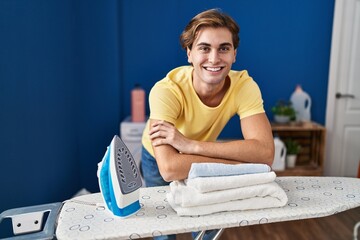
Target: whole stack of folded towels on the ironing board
[(215, 187)]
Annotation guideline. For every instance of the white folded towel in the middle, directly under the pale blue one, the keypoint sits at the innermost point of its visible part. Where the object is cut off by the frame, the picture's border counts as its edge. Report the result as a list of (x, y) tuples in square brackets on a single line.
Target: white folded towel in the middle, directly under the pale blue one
[(208, 184)]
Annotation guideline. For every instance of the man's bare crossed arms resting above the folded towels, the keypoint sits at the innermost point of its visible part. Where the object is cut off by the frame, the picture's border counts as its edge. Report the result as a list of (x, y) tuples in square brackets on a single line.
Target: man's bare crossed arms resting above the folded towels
[(175, 153)]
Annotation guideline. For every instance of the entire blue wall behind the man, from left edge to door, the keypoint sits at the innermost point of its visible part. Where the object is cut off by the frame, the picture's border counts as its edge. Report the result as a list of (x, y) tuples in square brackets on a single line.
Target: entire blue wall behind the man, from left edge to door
[(67, 67)]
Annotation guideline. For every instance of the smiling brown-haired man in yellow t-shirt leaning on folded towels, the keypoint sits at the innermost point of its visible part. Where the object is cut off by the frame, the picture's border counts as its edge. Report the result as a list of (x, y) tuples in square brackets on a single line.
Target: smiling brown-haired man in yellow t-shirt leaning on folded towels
[(190, 107)]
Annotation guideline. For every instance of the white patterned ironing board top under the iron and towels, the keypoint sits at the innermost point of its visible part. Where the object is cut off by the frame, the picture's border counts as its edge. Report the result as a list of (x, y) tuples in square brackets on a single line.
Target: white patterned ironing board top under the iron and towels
[(309, 197)]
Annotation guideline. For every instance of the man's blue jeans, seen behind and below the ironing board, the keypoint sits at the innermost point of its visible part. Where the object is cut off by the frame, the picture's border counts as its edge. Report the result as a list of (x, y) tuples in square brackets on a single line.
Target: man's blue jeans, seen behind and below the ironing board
[(150, 172)]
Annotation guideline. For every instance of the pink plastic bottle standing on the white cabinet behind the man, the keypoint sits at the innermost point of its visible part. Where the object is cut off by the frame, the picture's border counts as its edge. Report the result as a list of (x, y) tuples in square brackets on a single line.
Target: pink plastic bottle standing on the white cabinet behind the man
[(137, 104)]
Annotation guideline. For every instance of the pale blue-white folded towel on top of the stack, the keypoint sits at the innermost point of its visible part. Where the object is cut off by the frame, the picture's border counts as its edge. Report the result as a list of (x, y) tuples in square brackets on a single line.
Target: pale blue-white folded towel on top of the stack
[(221, 169)]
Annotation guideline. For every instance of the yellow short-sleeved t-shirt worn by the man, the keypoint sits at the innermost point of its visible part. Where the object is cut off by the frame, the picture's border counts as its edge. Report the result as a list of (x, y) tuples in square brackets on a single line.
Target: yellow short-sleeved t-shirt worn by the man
[(174, 100)]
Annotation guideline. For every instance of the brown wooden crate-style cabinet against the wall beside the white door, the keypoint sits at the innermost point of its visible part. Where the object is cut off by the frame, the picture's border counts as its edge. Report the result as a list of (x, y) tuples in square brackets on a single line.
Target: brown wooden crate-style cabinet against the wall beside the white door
[(311, 137)]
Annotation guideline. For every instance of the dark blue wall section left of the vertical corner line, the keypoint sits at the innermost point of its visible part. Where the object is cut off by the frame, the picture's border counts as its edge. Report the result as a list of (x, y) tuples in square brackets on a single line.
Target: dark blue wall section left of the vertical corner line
[(59, 96)]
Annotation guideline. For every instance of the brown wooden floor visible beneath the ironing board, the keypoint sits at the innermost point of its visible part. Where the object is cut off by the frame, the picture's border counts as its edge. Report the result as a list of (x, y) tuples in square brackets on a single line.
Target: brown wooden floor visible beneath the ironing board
[(335, 227)]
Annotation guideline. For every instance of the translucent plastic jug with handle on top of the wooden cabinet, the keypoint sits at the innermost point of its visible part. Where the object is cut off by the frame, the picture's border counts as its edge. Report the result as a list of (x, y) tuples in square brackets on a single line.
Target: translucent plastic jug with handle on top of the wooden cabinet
[(301, 102)]
